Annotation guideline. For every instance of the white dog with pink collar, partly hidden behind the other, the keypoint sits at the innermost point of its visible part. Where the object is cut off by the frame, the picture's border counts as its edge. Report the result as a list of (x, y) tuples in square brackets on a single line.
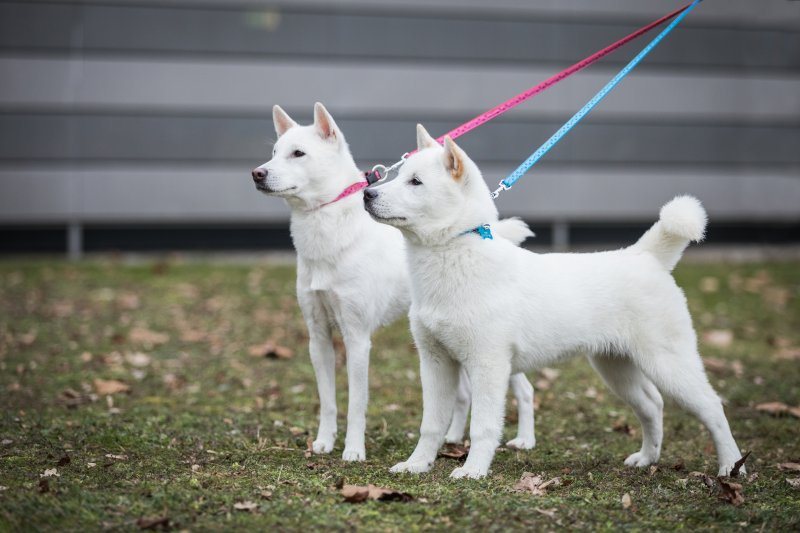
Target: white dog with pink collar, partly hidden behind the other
[(352, 273)]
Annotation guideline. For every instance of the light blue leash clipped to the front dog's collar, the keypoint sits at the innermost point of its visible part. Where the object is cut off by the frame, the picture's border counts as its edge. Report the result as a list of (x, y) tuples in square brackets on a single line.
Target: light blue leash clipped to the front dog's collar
[(512, 178)]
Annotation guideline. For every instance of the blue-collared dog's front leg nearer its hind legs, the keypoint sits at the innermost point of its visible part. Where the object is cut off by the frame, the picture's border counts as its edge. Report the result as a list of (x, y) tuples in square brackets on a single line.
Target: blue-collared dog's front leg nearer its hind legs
[(489, 379)]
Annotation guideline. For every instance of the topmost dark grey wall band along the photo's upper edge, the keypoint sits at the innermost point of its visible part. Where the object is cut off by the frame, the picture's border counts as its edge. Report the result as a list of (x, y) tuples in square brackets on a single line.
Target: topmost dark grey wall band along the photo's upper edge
[(333, 34)]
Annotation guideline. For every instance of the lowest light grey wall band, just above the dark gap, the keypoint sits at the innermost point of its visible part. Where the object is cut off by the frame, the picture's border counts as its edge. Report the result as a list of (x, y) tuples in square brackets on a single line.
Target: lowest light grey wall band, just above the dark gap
[(199, 194)]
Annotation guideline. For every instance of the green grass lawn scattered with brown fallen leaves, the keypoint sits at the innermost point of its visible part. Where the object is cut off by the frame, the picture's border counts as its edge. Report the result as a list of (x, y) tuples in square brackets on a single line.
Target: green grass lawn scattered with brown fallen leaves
[(207, 425)]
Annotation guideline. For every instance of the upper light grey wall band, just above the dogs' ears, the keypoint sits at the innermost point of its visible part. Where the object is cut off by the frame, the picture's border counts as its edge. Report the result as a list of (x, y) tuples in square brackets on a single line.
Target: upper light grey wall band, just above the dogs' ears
[(373, 89)]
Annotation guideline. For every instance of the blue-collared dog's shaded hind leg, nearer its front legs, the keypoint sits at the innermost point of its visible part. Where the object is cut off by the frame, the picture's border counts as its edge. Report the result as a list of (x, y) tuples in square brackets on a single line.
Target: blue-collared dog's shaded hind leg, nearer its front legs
[(629, 383)]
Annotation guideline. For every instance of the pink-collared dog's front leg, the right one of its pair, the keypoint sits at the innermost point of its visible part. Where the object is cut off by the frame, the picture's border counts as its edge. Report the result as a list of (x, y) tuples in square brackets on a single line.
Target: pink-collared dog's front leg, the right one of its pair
[(357, 344)]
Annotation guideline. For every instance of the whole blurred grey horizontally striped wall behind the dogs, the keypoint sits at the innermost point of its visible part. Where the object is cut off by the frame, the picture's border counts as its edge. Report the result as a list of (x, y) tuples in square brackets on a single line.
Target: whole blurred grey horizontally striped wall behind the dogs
[(133, 124)]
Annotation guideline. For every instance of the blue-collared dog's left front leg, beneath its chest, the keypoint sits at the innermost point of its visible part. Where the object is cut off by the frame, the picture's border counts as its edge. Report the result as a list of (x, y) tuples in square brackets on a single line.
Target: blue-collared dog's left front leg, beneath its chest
[(439, 375)]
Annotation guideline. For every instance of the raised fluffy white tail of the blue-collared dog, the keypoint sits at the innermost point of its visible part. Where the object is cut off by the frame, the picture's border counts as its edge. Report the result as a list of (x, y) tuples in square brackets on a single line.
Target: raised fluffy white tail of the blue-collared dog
[(681, 221)]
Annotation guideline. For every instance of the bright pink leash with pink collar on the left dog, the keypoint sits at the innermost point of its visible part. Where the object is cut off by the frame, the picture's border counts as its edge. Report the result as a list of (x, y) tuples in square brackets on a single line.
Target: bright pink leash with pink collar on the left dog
[(375, 174)]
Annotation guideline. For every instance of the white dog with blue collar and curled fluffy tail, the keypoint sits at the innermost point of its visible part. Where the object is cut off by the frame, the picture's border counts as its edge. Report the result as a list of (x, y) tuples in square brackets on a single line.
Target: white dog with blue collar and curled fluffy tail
[(497, 309)]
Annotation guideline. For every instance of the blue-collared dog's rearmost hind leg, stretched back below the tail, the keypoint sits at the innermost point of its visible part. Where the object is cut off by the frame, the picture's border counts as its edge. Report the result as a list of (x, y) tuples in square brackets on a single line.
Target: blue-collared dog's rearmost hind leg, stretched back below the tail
[(683, 378)]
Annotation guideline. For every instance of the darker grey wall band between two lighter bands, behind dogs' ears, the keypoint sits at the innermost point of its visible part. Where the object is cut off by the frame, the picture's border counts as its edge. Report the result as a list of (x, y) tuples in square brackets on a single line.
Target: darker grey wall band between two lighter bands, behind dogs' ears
[(41, 137)]
